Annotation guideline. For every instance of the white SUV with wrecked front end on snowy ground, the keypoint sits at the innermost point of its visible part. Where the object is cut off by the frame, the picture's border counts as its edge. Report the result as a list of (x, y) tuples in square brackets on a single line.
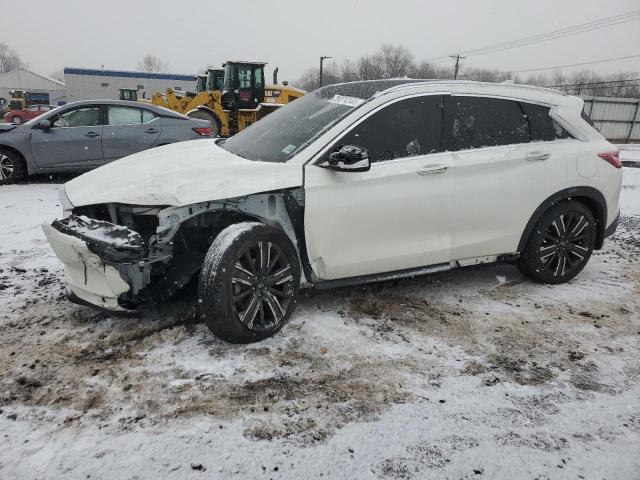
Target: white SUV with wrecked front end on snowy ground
[(351, 183)]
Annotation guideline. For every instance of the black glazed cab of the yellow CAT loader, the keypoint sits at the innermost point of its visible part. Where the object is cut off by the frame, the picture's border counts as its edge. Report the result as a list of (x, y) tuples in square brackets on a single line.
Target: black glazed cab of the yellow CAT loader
[(243, 85)]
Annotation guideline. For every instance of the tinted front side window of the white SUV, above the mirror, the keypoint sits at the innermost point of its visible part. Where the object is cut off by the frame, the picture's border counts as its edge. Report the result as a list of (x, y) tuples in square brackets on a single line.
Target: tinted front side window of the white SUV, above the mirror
[(403, 129)]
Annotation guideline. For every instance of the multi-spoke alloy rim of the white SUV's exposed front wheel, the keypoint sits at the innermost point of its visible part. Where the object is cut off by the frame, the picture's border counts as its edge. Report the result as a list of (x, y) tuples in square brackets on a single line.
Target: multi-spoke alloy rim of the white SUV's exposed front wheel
[(262, 286)]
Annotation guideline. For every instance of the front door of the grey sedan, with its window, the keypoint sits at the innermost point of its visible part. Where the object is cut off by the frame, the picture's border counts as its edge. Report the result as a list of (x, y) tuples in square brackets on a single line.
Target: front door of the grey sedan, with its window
[(73, 141)]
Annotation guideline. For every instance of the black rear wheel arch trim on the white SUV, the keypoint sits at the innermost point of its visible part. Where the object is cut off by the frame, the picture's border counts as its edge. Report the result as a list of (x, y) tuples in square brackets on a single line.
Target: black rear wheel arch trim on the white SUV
[(588, 196)]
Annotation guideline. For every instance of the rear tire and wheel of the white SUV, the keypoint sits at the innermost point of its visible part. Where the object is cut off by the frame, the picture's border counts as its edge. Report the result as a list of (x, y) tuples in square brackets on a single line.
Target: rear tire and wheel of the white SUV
[(560, 245)]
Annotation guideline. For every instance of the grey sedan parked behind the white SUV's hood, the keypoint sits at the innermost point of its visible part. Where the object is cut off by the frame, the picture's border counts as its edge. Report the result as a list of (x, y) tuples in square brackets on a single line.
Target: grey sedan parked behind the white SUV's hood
[(84, 135)]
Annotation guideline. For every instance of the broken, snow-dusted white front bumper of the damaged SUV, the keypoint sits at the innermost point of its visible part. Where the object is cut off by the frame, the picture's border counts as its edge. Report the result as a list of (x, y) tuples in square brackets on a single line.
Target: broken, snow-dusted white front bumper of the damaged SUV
[(105, 264)]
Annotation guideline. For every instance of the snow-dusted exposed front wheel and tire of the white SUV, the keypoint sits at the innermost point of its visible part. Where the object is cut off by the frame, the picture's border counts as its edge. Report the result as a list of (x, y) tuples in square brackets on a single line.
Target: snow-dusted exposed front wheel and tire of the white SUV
[(248, 283)]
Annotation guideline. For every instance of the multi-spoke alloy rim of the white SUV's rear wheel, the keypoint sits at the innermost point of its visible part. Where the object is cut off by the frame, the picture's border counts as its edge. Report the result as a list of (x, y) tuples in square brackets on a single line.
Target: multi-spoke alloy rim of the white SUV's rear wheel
[(566, 244)]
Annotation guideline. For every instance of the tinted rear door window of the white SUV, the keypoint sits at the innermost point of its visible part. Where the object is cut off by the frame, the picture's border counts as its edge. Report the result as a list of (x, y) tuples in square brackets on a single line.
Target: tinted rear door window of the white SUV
[(474, 122)]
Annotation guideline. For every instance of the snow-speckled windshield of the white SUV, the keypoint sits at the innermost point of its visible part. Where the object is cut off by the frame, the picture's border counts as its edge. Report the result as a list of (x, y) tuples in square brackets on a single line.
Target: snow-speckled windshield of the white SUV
[(278, 136)]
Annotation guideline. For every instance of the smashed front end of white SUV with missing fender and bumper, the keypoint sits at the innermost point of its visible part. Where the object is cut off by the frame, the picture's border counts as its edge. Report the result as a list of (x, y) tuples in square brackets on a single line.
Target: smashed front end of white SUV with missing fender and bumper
[(118, 257)]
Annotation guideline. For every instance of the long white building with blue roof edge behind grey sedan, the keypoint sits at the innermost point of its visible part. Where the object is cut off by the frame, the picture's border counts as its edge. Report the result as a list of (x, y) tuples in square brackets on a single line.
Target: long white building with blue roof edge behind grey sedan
[(89, 84)]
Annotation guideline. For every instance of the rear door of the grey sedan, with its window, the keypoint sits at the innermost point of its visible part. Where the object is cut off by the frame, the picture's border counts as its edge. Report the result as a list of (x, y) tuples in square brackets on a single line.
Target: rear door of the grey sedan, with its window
[(129, 130)]
